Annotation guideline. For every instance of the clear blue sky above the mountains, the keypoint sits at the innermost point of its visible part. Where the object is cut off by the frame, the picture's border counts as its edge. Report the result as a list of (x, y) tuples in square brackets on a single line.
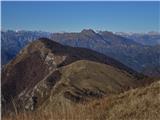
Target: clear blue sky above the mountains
[(75, 16)]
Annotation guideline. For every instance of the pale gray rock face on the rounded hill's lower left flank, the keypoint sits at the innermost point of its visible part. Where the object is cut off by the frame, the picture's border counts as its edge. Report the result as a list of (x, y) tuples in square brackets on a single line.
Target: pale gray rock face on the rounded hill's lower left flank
[(40, 92)]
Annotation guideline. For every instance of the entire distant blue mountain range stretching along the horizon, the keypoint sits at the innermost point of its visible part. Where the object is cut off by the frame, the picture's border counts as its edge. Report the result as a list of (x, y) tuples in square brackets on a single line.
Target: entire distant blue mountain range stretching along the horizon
[(140, 52)]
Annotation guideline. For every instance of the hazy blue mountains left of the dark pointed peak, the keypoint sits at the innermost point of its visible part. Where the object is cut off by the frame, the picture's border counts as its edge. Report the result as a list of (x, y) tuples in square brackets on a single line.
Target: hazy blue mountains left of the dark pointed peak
[(13, 41)]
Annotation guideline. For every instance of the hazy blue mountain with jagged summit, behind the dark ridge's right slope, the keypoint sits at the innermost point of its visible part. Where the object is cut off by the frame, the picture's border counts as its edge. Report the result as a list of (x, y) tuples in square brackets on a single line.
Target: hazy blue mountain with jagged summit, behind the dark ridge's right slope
[(135, 55)]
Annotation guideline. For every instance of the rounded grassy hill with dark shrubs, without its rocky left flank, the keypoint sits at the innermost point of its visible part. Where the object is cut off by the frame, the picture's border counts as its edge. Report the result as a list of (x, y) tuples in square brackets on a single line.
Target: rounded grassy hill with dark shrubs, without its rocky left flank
[(84, 80)]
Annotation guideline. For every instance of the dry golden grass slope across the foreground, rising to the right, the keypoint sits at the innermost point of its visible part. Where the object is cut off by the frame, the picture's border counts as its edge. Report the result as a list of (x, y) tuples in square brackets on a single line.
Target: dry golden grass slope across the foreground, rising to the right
[(137, 104)]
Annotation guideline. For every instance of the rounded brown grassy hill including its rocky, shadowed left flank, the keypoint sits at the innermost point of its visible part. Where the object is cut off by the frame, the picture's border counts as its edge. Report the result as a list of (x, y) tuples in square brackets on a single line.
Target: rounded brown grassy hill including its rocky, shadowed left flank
[(81, 81)]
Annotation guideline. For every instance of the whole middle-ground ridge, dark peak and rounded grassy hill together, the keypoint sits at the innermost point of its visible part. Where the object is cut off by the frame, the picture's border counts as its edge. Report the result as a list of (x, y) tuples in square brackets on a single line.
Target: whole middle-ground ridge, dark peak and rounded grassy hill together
[(39, 67)]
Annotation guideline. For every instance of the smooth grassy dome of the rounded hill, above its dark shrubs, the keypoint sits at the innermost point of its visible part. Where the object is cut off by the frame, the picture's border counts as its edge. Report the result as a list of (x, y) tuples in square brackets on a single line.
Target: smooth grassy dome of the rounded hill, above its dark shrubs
[(85, 74)]
